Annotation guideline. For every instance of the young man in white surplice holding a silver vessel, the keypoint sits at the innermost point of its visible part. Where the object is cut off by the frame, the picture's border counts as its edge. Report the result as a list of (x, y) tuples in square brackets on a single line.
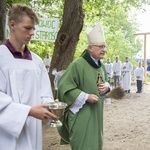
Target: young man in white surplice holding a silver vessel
[(24, 85)]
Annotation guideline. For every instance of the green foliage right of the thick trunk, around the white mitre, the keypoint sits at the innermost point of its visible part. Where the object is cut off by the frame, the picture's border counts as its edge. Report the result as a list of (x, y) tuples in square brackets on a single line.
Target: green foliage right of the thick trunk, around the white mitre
[(119, 28)]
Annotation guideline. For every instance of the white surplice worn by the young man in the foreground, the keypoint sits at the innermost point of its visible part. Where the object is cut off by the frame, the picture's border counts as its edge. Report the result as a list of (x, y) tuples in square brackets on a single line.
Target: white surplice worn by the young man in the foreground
[(23, 83)]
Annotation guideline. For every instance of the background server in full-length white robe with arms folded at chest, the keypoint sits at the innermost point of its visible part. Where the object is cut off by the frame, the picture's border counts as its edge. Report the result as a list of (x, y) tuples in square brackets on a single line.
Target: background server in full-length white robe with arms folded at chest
[(126, 69)]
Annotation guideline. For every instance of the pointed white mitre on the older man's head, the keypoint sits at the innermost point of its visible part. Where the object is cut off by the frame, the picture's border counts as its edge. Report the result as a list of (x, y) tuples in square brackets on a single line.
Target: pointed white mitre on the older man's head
[(95, 35)]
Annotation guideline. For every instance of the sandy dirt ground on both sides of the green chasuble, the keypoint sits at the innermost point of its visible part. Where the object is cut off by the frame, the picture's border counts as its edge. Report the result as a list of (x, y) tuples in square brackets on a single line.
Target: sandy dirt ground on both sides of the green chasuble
[(126, 124)]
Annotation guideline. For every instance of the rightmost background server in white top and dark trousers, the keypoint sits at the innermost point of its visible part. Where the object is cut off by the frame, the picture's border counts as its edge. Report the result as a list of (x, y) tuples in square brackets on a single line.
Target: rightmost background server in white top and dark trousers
[(139, 75)]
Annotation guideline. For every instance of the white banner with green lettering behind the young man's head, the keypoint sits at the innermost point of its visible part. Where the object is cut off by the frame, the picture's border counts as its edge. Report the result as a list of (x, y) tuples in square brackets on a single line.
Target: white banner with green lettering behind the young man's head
[(46, 30)]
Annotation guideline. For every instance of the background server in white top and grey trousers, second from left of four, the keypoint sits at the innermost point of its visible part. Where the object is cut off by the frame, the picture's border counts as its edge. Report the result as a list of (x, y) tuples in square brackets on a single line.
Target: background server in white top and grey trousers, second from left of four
[(117, 71)]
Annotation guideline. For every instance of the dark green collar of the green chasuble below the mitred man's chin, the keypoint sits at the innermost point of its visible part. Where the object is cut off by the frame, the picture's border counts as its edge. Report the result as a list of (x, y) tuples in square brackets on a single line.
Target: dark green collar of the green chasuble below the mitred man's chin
[(88, 58)]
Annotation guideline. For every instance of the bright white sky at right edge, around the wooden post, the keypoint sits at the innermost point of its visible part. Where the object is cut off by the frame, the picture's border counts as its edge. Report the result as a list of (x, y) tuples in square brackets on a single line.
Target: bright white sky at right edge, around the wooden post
[(143, 19)]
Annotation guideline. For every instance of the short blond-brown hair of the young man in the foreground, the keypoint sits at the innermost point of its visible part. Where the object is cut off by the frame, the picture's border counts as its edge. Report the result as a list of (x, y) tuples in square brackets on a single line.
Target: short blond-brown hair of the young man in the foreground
[(17, 11)]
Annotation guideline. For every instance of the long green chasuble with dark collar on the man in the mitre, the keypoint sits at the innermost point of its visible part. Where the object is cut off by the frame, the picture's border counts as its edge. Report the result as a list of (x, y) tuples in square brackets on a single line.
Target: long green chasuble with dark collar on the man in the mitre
[(83, 130)]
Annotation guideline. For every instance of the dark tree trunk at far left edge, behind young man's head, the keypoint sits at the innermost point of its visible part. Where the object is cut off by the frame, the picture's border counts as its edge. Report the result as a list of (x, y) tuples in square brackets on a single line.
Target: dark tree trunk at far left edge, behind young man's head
[(2, 20)]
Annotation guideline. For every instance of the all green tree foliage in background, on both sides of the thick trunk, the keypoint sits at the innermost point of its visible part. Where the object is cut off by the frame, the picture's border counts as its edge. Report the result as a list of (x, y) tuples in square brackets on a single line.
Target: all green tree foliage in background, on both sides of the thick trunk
[(119, 29)]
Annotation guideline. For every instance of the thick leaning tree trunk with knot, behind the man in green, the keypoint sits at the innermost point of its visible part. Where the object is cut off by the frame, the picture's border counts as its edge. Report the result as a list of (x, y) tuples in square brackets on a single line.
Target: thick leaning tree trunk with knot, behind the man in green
[(67, 37)]
